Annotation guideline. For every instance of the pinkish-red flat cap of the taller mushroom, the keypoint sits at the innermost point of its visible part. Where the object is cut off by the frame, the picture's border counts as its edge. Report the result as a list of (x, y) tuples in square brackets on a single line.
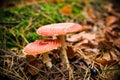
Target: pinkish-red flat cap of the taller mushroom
[(59, 29)]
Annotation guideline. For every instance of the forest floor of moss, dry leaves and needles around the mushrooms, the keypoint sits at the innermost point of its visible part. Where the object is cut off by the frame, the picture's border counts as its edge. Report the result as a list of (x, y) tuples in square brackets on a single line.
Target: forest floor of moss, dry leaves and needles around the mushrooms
[(94, 53)]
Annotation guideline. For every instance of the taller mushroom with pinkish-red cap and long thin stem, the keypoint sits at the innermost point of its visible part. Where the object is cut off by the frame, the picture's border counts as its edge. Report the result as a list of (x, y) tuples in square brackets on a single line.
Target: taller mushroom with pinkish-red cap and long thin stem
[(60, 30)]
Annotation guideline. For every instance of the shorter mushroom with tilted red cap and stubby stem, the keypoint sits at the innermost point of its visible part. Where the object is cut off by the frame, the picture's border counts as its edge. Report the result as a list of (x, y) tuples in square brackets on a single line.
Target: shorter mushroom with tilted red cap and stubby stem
[(42, 47)]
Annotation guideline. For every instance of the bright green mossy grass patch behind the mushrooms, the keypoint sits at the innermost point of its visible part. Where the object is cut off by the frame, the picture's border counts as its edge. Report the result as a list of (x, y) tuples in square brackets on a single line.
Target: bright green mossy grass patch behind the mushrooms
[(18, 24)]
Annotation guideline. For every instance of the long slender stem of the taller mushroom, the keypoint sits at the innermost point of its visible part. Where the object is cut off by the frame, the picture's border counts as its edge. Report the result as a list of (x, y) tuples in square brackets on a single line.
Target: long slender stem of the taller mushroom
[(63, 51)]
